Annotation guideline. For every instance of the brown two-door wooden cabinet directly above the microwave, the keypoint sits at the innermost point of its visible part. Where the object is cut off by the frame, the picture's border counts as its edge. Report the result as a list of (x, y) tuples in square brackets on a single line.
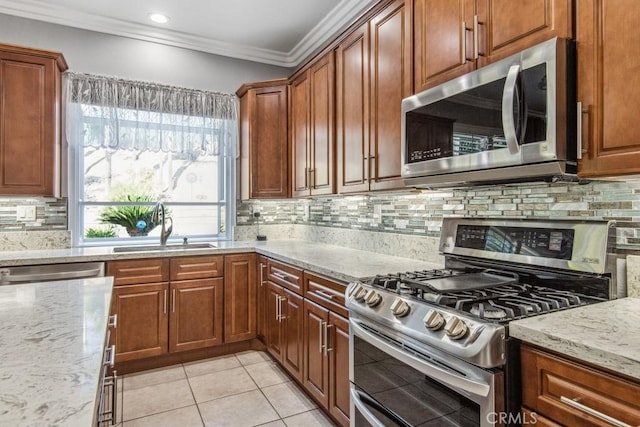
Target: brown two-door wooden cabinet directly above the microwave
[(452, 38)]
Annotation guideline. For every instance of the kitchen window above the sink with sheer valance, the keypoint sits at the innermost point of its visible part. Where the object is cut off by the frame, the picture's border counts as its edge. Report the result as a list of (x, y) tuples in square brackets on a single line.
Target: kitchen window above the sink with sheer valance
[(134, 144)]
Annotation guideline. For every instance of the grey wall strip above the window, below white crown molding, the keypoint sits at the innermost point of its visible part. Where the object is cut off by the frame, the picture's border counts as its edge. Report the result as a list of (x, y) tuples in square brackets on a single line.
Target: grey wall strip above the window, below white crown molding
[(98, 53)]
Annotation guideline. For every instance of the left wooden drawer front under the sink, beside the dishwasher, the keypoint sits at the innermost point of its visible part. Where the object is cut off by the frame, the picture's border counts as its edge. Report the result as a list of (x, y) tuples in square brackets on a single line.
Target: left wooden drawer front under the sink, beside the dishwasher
[(138, 271)]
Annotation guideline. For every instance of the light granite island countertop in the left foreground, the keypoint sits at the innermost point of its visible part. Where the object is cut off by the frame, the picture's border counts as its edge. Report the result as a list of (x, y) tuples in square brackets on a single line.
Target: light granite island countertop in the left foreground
[(52, 342)]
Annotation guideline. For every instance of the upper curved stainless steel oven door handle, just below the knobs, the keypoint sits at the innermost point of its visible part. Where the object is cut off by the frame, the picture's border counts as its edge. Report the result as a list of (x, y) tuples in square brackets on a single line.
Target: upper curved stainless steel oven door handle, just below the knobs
[(423, 365)]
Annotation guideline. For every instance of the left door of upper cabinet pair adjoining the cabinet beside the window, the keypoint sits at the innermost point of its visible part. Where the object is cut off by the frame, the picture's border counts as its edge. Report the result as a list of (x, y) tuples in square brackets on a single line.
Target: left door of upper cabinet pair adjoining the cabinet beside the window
[(299, 134)]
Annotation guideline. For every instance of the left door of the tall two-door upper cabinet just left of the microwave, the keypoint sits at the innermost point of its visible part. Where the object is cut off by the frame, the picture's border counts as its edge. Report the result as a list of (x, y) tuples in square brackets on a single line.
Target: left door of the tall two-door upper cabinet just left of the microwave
[(352, 111)]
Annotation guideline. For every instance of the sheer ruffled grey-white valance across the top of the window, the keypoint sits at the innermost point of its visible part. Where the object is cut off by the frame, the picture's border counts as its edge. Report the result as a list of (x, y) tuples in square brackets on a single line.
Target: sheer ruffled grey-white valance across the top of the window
[(106, 112)]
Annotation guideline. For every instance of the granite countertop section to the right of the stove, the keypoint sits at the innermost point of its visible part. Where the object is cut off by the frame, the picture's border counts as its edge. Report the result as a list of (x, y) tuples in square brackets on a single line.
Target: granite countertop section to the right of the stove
[(603, 334)]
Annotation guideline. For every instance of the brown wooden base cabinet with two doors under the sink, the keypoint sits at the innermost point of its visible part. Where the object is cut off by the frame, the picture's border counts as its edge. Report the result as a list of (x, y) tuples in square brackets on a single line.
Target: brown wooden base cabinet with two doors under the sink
[(167, 305)]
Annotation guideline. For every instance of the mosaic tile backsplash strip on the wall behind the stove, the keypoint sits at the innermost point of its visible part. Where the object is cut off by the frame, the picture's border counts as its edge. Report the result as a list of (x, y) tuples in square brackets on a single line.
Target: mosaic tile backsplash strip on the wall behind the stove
[(420, 212)]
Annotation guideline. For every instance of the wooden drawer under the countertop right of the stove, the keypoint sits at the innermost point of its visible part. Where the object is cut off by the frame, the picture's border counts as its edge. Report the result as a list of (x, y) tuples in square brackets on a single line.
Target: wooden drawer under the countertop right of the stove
[(548, 381)]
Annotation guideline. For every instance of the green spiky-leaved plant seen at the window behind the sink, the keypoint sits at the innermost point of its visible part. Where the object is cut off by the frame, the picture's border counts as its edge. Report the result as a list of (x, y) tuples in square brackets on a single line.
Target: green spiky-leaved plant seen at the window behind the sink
[(135, 219)]
